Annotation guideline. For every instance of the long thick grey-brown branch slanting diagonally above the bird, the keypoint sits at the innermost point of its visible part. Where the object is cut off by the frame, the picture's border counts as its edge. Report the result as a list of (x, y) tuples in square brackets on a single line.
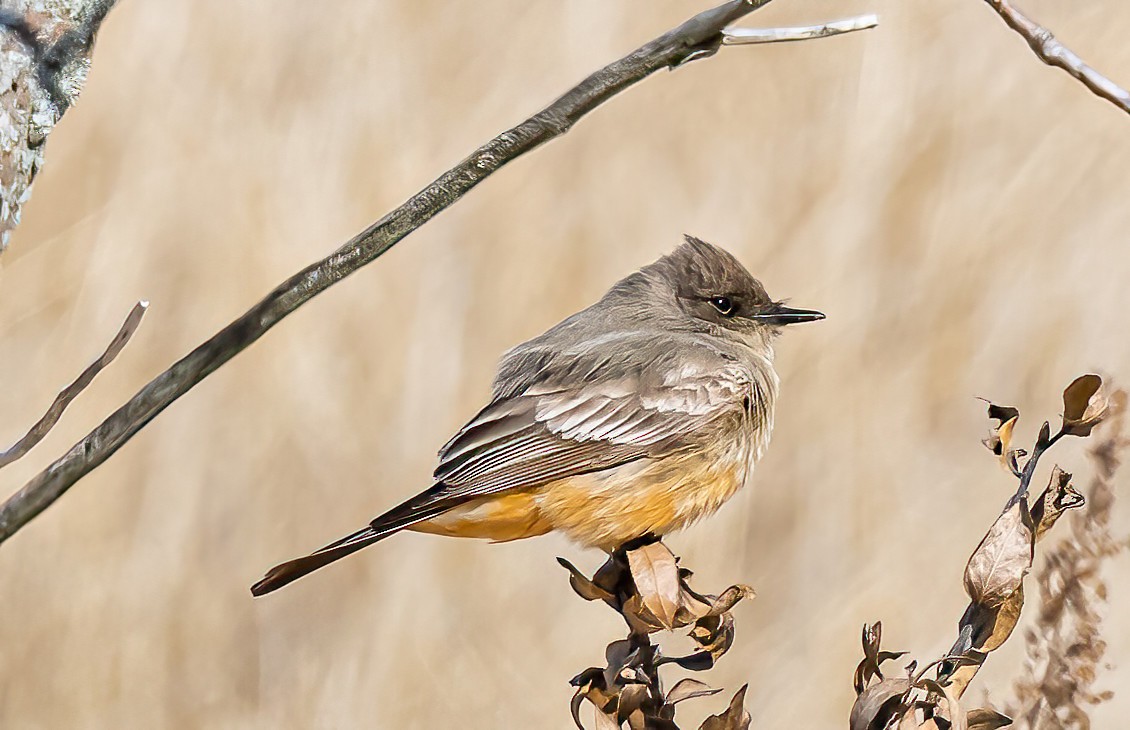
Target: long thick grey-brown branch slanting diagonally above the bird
[(701, 37)]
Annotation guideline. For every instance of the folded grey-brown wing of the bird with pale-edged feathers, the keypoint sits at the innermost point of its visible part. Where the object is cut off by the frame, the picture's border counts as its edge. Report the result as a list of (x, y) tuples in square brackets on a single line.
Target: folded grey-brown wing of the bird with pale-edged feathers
[(552, 430)]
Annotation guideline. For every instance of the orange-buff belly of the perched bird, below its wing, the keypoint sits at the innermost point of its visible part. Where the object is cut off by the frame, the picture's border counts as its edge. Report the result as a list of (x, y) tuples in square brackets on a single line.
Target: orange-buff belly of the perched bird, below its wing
[(603, 509)]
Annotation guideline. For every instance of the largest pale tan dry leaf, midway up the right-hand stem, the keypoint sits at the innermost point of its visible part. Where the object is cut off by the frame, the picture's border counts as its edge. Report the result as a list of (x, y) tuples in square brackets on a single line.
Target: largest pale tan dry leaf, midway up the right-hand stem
[(1001, 562)]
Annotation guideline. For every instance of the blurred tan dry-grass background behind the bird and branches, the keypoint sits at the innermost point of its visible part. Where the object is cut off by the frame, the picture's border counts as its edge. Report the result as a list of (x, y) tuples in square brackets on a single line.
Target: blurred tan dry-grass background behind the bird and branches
[(957, 208)]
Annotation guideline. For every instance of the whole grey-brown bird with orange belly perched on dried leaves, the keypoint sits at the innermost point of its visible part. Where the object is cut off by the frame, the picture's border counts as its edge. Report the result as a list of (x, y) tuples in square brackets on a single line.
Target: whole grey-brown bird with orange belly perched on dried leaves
[(639, 415)]
